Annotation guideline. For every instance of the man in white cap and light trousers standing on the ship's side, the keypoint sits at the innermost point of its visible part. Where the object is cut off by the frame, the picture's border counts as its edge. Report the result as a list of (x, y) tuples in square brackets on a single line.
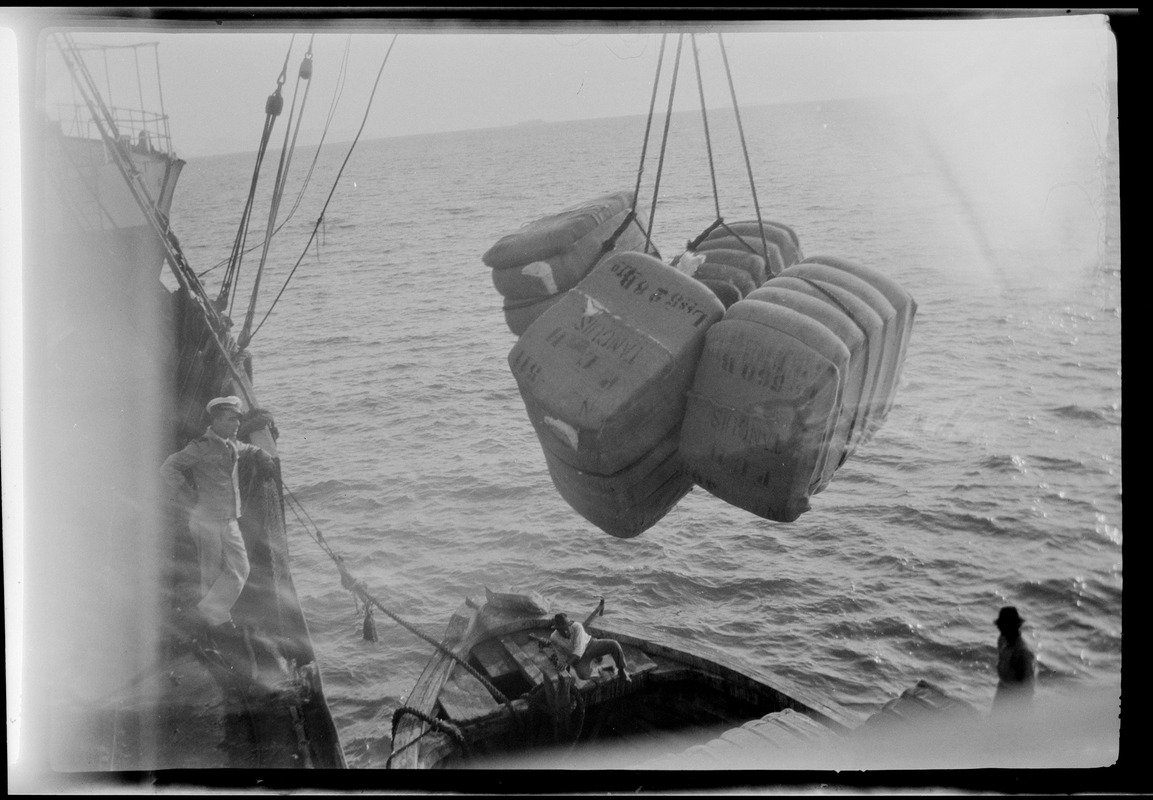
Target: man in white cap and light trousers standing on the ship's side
[(213, 462)]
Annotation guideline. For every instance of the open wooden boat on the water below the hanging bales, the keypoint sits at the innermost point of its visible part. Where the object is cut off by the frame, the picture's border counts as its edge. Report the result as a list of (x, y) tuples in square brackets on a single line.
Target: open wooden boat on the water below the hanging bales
[(679, 696)]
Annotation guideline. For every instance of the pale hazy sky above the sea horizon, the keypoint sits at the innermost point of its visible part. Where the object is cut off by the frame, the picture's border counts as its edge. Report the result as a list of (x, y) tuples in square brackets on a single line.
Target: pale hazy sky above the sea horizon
[(456, 76)]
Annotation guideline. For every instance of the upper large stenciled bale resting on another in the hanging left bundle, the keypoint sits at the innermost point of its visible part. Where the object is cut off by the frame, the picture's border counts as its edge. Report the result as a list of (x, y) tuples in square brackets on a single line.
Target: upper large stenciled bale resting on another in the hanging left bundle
[(604, 373)]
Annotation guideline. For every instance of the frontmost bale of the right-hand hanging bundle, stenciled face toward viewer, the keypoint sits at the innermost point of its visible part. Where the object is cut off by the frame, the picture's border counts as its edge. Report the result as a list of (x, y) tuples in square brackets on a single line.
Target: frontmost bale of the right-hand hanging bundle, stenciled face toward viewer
[(764, 410)]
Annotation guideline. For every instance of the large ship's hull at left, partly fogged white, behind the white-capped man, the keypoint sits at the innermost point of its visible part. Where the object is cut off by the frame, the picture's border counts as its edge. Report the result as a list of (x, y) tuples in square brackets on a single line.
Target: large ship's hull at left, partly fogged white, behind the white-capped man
[(119, 371)]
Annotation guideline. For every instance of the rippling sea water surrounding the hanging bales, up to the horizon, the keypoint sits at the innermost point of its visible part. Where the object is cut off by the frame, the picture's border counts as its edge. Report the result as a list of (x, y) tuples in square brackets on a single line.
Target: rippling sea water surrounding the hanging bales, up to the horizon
[(996, 480)]
